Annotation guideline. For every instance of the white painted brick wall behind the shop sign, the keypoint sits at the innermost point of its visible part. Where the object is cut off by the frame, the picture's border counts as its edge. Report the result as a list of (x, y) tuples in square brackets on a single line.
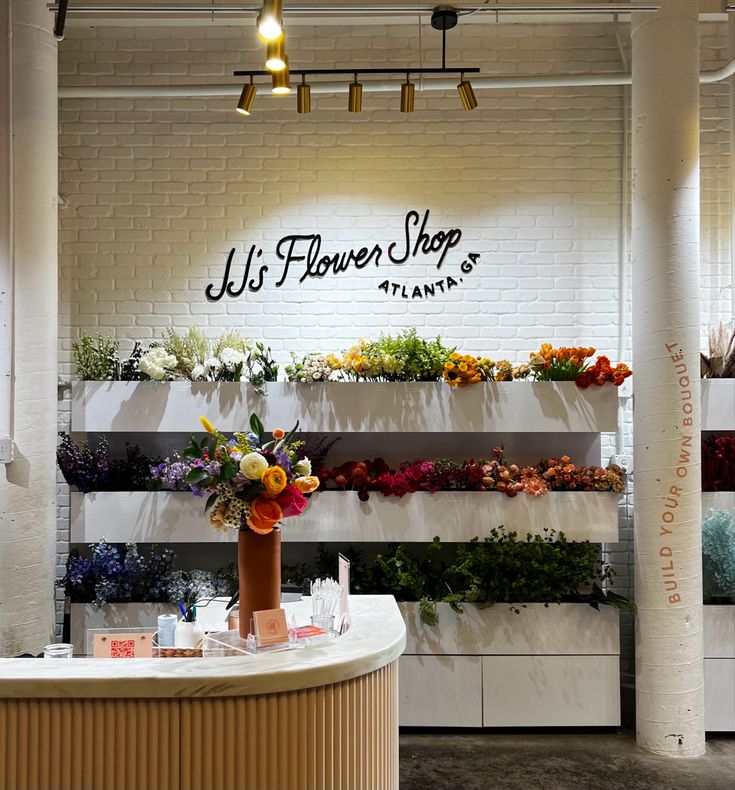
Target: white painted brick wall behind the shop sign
[(156, 191)]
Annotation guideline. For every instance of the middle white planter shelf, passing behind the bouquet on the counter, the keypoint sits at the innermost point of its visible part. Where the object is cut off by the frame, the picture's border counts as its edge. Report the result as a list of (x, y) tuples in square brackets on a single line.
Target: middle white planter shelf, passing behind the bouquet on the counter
[(178, 517)]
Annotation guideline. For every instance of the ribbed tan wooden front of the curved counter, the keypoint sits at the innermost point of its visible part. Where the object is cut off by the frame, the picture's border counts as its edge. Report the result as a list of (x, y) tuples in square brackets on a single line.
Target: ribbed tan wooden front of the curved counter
[(336, 736)]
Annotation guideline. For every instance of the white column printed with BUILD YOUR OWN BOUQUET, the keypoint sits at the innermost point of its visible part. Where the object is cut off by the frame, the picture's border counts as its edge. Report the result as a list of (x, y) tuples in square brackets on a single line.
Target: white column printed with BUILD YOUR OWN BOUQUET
[(666, 307)]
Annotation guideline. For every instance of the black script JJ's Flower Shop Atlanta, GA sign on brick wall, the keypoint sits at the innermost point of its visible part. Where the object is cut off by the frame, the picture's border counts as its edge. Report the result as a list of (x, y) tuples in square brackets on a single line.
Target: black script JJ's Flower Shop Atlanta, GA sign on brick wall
[(302, 257)]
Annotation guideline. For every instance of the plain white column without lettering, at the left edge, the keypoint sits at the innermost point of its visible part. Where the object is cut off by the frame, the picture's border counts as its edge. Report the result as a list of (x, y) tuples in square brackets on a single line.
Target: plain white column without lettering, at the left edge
[(28, 323)]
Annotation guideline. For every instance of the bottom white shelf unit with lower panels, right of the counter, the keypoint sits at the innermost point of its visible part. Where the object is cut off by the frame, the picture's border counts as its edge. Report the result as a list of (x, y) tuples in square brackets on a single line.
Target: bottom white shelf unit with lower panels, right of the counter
[(545, 667)]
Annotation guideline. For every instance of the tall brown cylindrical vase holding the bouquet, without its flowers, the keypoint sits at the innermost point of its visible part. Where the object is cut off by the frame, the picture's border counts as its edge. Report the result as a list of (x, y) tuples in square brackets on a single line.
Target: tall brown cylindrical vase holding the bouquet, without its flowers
[(259, 569)]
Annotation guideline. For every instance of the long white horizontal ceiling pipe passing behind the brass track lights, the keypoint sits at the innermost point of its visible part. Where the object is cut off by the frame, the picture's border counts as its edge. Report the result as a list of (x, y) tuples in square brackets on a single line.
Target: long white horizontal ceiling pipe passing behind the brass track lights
[(481, 83)]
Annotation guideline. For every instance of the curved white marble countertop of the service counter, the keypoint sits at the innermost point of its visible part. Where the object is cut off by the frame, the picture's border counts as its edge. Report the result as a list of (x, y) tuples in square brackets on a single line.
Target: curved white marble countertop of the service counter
[(376, 638)]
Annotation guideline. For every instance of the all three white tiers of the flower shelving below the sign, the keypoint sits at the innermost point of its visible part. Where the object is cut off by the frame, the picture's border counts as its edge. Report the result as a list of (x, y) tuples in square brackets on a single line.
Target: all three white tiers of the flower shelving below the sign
[(477, 669)]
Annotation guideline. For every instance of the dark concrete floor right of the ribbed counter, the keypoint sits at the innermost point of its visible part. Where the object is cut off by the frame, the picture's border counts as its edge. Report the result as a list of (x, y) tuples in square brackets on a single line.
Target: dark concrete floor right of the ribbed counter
[(556, 762)]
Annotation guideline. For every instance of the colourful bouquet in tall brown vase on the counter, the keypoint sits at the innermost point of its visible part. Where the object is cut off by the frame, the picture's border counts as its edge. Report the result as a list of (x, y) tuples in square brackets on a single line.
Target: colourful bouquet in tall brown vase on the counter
[(253, 482)]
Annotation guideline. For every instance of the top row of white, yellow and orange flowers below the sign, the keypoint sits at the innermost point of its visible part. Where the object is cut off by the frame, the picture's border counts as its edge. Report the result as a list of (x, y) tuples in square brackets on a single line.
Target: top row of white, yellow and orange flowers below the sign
[(402, 357)]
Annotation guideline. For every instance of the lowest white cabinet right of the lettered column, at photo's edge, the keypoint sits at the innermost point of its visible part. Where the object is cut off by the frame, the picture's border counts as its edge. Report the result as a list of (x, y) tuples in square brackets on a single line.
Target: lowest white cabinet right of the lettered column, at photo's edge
[(719, 668)]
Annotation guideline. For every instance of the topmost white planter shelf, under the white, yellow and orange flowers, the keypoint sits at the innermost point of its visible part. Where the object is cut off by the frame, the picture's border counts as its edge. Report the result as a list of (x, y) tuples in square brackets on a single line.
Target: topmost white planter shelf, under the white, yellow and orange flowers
[(342, 407)]
